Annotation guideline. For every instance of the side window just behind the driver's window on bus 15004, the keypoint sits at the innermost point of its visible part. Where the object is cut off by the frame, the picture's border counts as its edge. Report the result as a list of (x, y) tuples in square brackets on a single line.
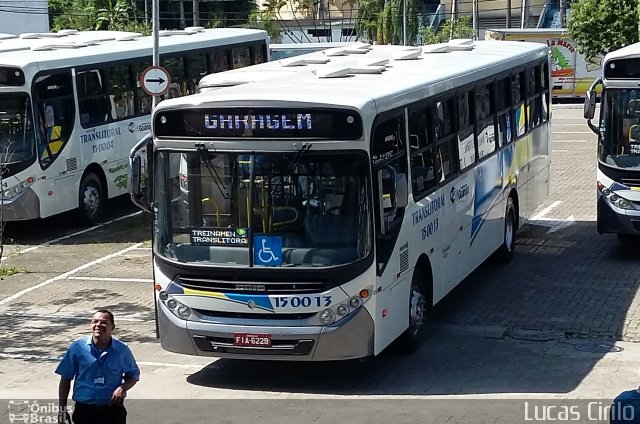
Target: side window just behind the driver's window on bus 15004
[(93, 100)]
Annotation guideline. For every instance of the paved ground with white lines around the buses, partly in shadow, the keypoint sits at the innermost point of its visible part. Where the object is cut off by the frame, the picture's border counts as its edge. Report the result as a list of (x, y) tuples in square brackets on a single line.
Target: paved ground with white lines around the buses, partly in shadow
[(559, 322)]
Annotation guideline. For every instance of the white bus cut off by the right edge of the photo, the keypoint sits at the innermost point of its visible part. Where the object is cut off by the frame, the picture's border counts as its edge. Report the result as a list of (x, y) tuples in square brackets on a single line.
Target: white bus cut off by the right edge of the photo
[(618, 175)]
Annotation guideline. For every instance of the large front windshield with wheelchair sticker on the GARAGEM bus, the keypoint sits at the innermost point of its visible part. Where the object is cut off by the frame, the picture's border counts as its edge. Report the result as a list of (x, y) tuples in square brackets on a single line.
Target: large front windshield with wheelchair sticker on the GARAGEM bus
[(298, 209)]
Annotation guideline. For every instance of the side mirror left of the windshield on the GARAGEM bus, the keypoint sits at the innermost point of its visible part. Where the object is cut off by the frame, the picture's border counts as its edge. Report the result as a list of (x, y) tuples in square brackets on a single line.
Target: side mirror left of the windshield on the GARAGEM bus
[(139, 171)]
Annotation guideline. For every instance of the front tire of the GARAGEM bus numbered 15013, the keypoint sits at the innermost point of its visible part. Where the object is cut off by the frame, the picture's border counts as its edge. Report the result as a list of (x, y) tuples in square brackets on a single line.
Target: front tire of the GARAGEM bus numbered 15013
[(419, 309)]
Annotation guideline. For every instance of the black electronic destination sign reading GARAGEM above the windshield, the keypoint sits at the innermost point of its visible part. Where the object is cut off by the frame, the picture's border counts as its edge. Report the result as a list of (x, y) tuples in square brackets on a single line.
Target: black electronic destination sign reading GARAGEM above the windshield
[(259, 123)]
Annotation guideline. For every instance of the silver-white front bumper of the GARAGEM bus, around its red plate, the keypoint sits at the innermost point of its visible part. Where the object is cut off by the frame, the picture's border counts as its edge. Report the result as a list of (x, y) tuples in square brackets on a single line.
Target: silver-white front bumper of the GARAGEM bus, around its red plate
[(349, 338)]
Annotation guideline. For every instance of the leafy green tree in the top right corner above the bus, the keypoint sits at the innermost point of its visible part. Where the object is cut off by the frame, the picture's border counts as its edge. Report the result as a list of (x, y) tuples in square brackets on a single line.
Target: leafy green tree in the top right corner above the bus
[(600, 26)]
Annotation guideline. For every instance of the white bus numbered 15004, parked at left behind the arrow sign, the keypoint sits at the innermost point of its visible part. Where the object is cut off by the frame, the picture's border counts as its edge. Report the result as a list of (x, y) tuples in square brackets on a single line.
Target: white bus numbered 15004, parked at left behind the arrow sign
[(72, 107)]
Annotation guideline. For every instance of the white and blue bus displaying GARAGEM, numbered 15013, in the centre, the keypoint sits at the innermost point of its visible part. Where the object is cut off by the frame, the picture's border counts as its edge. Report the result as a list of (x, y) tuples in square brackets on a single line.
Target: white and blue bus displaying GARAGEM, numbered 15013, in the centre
[(324, 204)]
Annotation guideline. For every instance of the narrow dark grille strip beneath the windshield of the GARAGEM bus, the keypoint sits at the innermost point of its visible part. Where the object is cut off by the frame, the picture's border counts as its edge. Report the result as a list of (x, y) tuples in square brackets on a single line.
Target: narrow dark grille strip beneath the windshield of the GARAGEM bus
[(253, 287)]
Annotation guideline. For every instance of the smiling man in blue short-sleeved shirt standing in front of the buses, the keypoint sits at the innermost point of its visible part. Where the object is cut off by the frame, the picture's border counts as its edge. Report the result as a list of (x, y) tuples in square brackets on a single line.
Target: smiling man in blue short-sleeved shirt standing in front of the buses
[(103, 368)]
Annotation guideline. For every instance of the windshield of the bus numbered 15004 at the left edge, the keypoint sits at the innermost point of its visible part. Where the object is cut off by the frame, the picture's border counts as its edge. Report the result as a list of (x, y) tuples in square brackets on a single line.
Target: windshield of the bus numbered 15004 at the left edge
[(17, 141)]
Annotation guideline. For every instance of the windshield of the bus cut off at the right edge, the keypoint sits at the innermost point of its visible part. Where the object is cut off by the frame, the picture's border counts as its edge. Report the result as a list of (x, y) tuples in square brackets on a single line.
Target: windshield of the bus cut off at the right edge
[(620, 132)]
